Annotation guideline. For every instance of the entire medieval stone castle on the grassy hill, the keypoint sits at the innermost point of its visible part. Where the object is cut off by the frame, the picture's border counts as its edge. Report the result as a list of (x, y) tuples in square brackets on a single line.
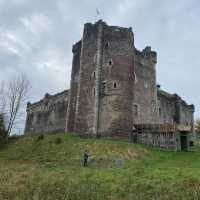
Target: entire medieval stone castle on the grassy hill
[(113, 93)]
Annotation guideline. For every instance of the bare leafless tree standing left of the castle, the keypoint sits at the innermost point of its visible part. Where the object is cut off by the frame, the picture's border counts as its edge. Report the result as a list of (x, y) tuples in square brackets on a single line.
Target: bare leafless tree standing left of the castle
[(14, 96)]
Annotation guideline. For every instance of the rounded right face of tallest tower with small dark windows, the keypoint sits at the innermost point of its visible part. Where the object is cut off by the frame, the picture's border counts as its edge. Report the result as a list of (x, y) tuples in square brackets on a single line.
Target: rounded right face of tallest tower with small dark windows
[(117, 81)]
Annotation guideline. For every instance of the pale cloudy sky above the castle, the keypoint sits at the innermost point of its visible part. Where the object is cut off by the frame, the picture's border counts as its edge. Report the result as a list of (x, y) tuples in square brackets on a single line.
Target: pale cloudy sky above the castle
[(36, 39)]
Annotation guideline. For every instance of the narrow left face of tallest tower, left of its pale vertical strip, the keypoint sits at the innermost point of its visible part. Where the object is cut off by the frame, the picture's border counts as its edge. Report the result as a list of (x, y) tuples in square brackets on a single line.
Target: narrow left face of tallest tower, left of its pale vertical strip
[(84, 121)]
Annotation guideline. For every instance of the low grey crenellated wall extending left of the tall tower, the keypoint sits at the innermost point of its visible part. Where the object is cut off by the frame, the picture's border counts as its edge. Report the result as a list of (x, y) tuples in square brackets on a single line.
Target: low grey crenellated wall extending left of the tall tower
[(48, 115)]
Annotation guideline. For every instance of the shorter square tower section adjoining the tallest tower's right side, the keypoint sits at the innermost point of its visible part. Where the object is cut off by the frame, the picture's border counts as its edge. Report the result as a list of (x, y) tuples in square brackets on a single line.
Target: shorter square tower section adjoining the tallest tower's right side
[(145, 90)]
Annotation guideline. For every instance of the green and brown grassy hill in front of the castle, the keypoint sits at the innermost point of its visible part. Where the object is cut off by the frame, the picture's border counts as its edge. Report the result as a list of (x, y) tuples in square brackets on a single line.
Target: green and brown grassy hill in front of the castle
[(51, 168)]
